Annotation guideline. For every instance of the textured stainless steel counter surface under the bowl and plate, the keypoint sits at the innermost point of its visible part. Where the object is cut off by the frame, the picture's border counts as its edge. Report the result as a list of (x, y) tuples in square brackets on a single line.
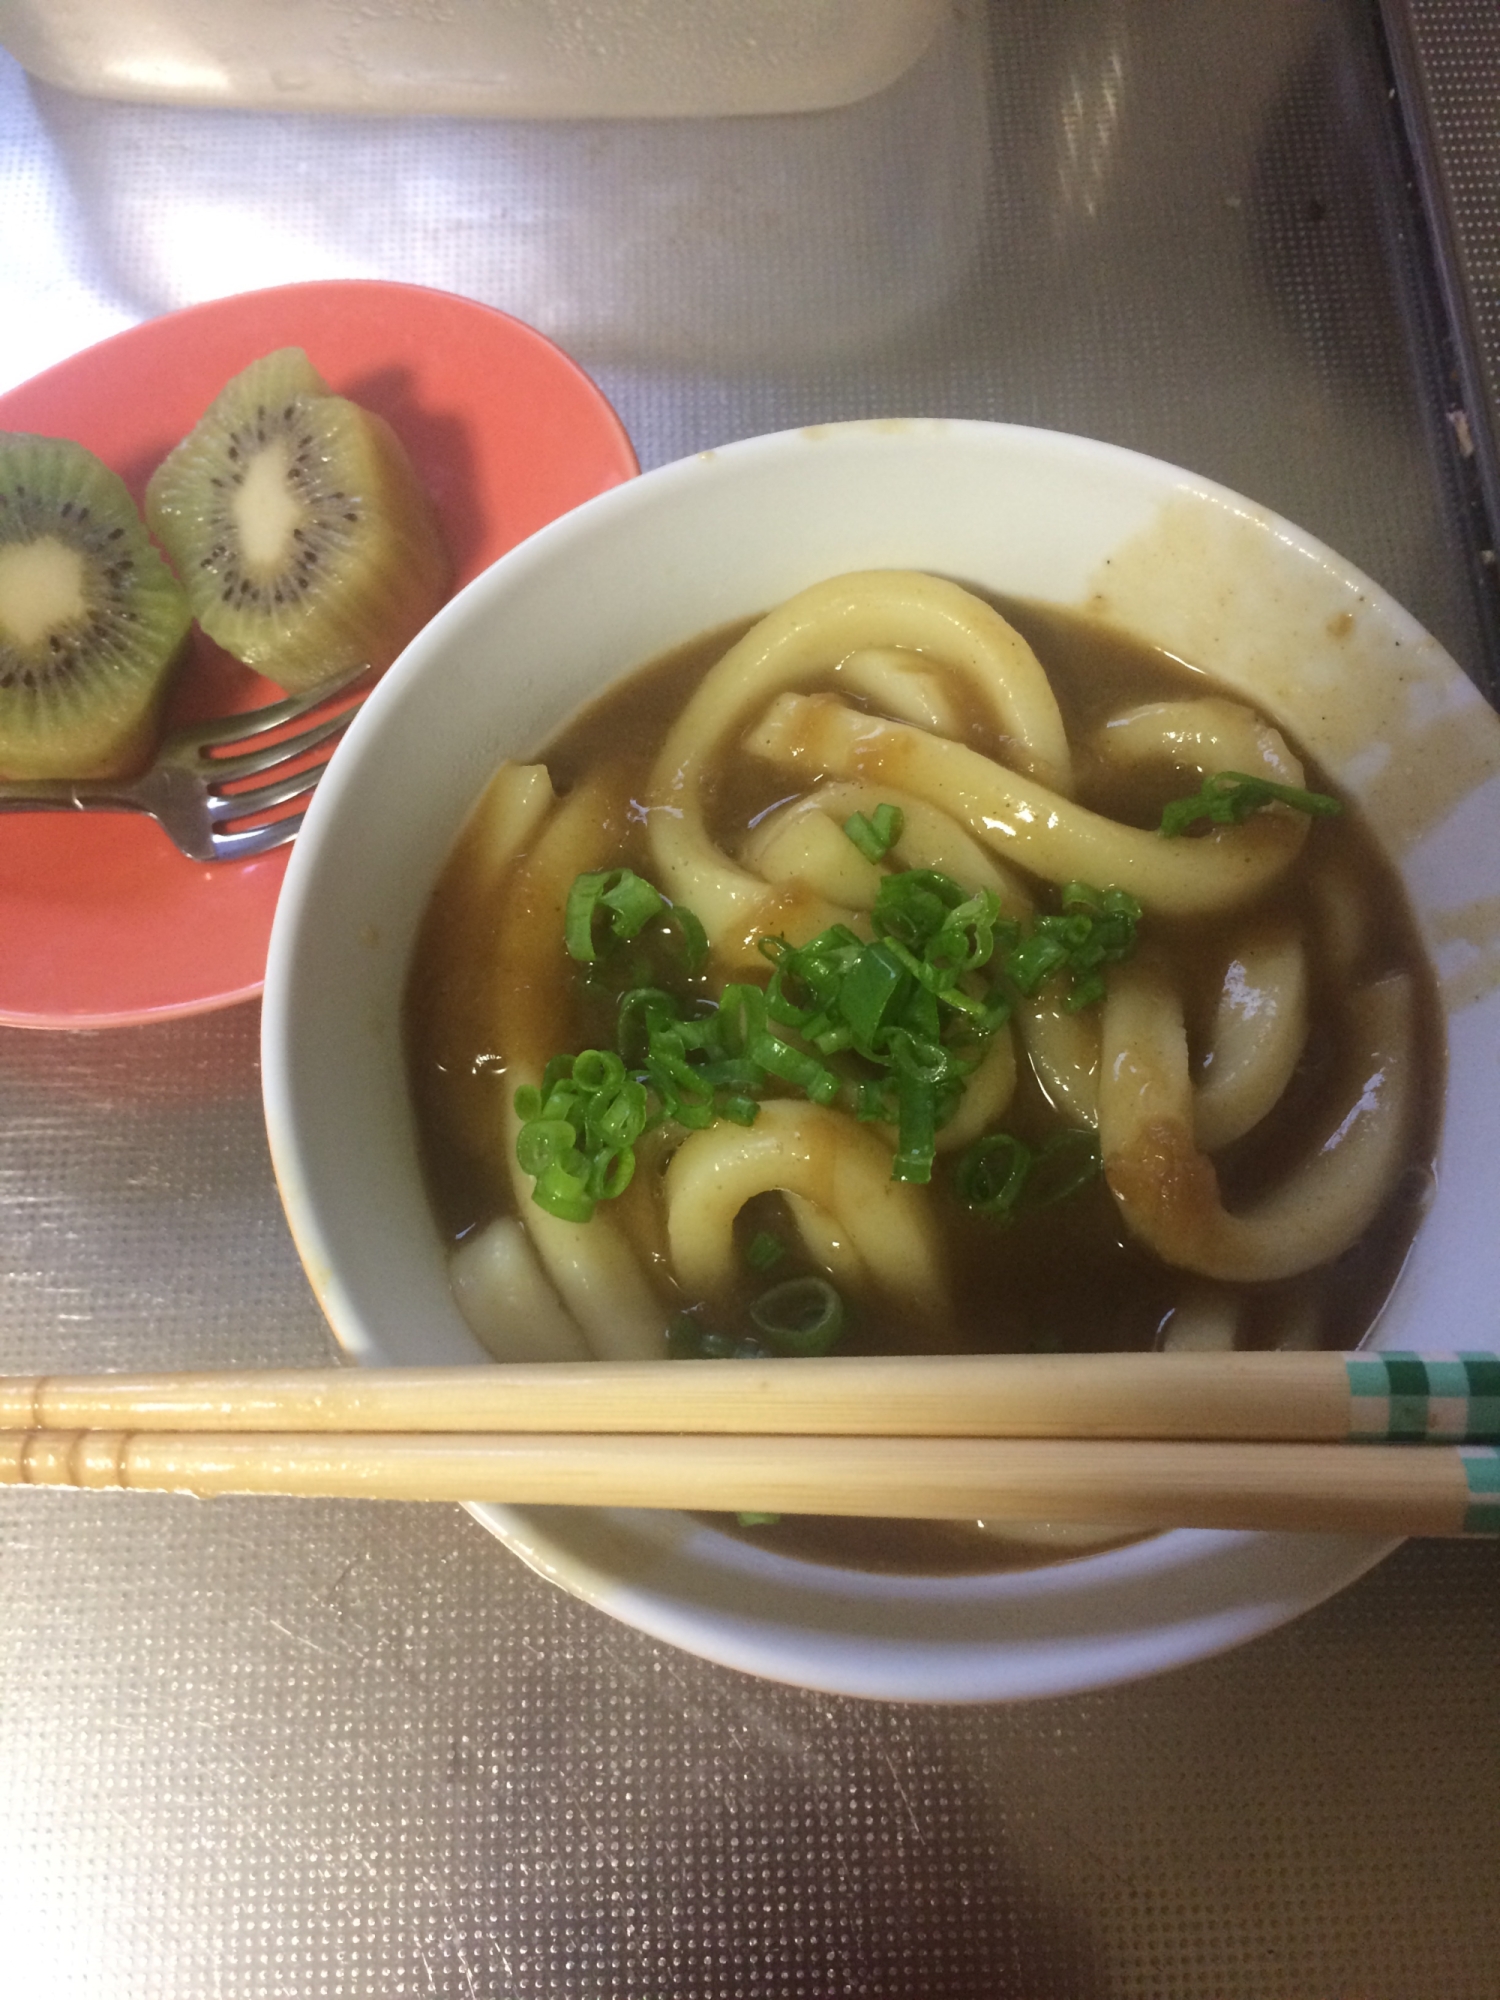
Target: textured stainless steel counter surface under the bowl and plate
[(259, 1749)]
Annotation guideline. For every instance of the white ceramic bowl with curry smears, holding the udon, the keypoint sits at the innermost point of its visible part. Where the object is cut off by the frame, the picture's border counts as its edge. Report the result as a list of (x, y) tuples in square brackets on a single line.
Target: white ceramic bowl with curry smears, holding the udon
[(1025, 513)]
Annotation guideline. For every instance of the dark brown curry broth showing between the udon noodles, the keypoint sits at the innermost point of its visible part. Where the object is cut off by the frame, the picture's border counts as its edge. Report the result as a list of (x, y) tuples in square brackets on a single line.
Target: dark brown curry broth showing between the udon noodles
[(1063, 1279)]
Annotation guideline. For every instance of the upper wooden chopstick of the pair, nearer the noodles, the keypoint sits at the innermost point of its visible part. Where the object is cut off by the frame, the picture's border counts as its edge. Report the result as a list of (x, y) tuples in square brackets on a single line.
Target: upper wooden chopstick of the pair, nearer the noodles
[(1305, 1397)]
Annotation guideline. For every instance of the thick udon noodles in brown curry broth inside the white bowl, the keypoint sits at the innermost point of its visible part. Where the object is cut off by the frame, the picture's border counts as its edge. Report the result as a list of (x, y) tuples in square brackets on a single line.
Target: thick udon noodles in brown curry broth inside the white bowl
[(1243, 1091)]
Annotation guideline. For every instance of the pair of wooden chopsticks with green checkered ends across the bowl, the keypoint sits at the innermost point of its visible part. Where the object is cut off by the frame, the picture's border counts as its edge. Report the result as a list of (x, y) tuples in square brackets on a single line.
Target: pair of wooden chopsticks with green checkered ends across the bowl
[(1351, 1443)]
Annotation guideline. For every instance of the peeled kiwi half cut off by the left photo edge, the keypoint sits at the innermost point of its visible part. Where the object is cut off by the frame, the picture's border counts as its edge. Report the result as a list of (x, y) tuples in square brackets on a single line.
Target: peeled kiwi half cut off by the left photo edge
[(91, 617)]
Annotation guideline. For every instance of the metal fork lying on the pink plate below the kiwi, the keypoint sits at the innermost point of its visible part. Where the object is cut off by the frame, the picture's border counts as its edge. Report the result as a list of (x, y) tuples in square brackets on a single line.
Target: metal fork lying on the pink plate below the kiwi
[(187, 785)]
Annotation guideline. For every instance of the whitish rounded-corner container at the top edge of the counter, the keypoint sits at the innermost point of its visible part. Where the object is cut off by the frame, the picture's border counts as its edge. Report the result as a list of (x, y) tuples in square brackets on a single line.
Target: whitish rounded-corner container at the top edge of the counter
[(507, 59)]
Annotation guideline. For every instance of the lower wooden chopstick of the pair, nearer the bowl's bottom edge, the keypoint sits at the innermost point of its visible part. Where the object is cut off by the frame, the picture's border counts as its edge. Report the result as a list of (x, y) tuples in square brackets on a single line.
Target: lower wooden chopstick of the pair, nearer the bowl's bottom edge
[(1383, 1489)]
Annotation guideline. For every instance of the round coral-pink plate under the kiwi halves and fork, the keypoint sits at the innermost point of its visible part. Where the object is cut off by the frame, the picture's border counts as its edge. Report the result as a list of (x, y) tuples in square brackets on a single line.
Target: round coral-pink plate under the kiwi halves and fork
[(103, 921)]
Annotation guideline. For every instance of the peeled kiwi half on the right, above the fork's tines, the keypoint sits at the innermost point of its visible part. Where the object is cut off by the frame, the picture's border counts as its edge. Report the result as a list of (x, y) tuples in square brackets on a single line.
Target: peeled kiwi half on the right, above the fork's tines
[(303, 537)]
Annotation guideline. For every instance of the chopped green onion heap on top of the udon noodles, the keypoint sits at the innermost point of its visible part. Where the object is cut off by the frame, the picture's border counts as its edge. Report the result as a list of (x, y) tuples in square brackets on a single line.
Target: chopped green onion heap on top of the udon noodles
[(889, 1027)]
